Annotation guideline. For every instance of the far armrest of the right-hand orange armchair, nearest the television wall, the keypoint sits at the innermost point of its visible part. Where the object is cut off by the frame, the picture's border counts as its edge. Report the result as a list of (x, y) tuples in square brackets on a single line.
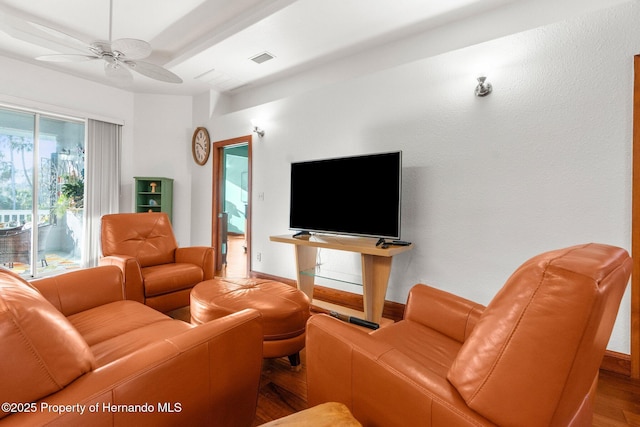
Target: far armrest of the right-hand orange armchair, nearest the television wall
[(446, 313)]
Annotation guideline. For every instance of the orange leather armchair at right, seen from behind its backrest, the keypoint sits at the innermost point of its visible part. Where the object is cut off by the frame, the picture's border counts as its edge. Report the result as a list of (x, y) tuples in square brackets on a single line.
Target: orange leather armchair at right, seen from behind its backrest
[(530, 358)]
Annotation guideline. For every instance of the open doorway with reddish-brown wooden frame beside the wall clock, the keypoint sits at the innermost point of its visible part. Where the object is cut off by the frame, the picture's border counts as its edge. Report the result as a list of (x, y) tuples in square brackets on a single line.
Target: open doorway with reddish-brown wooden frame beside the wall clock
[(231, 228)]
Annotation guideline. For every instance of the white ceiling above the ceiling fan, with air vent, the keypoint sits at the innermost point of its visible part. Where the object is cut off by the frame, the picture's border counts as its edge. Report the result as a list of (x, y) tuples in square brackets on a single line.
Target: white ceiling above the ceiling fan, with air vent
[(209, 43)]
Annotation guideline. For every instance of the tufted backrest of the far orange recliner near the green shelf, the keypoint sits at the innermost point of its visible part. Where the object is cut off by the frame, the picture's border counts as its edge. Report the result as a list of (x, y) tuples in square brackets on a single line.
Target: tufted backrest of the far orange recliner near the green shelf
[(148, 237)]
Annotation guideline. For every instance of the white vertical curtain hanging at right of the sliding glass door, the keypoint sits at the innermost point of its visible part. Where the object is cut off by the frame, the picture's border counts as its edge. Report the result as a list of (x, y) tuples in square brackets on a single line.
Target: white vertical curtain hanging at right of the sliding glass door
[(102, 183)]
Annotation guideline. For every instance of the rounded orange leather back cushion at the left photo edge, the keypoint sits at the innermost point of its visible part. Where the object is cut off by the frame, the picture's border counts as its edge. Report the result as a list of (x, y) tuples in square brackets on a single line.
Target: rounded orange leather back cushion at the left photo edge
[(41, 351)]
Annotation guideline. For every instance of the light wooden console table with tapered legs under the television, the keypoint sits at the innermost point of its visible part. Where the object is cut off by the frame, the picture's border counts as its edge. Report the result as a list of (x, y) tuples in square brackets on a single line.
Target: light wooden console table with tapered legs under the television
[(376, 266)]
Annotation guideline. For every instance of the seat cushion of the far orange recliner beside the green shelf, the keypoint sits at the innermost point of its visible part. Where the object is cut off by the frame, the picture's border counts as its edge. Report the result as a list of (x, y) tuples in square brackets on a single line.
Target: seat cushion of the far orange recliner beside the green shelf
[(165, 278)]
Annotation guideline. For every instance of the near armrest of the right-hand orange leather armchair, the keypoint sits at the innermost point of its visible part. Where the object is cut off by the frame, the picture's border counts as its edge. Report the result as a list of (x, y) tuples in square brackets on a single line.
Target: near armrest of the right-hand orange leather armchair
[(348, 365)]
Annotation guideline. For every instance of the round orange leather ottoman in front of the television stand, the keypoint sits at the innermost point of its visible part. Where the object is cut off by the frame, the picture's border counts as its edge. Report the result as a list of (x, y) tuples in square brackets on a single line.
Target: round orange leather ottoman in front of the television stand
[(285, 310)]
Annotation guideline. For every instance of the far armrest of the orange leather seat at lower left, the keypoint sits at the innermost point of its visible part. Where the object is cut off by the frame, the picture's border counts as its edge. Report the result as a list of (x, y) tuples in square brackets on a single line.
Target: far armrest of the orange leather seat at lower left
[(81, 290)]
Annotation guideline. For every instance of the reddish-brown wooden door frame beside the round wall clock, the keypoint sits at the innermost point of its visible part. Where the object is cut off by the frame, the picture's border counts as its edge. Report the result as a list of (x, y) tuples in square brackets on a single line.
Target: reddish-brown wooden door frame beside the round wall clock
[(217, 149)]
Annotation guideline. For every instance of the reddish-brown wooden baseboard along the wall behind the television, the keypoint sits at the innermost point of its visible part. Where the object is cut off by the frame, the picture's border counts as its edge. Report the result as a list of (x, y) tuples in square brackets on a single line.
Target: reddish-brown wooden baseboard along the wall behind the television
[(612, 361)]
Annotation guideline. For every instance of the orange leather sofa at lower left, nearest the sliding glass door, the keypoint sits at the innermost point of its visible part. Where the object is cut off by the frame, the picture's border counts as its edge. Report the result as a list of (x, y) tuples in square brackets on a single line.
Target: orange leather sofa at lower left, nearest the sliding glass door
[(75, 352)]
